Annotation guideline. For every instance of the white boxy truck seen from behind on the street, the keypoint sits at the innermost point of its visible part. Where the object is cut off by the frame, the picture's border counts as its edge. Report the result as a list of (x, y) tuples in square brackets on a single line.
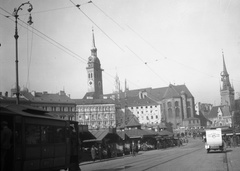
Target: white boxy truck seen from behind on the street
[(214, 140)]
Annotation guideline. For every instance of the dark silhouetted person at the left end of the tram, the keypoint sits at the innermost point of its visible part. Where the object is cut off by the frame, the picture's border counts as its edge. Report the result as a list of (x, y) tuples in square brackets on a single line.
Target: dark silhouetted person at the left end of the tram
[(6, 135)]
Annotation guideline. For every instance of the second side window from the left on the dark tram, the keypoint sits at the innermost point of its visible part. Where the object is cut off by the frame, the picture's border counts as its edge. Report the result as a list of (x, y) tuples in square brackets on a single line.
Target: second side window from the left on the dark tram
[(47, 134)]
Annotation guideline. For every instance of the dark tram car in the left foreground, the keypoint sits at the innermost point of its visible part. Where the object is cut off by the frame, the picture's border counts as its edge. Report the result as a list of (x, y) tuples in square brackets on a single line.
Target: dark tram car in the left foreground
[(38, 140)]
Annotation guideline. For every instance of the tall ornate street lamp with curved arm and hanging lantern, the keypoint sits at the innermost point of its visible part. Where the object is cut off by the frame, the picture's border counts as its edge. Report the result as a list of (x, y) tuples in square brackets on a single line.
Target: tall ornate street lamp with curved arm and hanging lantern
[(15, 14)]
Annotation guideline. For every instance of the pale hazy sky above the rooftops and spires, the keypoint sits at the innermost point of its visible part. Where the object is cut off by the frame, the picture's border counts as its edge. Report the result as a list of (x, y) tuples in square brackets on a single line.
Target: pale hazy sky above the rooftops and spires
[(149, 43)]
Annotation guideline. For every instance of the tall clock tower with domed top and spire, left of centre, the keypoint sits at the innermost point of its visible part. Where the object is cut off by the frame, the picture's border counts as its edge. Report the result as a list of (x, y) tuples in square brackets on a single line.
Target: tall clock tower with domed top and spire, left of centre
[(94, 71)]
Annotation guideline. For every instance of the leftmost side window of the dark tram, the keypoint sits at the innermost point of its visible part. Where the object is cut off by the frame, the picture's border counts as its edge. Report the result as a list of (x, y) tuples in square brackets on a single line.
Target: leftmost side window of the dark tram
[(32, 134)]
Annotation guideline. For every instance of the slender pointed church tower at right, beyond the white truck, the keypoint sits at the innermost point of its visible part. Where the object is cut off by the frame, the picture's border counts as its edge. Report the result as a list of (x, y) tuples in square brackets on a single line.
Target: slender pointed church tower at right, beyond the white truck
[(227, 91)]
